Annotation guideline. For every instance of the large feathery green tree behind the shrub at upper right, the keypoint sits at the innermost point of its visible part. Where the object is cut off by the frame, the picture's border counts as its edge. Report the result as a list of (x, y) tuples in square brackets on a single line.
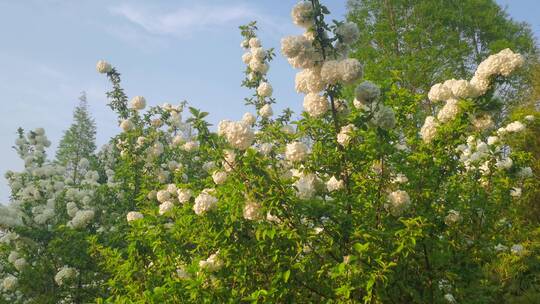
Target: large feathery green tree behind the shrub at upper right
[(428, 41)]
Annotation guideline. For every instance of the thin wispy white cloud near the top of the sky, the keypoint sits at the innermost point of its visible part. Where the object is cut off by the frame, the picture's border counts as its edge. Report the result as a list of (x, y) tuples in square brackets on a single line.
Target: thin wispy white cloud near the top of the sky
[(183, 21)]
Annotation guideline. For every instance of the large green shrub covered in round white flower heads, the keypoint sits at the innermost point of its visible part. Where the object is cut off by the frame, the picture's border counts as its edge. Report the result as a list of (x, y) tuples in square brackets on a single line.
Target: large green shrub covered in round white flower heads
[(352, 202)]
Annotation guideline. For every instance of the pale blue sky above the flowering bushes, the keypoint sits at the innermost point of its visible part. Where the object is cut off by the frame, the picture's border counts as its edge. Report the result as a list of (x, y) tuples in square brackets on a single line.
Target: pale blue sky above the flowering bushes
[(167, 51)]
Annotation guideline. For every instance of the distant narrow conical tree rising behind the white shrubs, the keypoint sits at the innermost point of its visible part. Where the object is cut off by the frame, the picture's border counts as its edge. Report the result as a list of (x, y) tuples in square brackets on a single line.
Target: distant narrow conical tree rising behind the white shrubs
[(79, 141)]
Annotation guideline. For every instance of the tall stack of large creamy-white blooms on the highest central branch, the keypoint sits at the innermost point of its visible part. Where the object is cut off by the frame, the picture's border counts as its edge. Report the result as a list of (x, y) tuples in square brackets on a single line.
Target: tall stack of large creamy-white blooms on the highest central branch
[(318, 72)]
